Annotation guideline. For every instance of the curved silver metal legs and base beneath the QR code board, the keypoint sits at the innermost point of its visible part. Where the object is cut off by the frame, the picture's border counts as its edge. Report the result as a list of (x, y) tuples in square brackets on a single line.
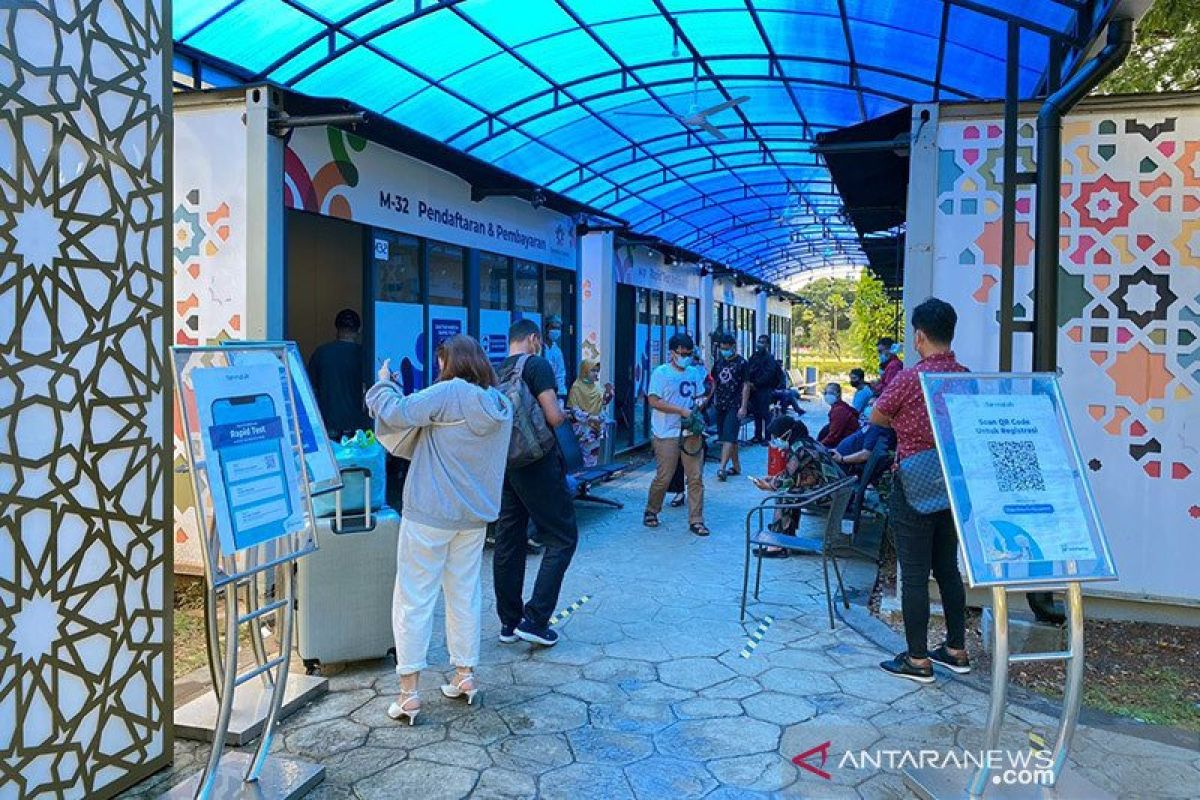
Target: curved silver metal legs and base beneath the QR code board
[(1064, 783)]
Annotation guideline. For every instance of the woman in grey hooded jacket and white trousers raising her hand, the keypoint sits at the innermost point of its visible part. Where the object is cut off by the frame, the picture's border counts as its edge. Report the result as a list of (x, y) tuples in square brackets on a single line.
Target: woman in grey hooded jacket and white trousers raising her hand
[(452, 492)]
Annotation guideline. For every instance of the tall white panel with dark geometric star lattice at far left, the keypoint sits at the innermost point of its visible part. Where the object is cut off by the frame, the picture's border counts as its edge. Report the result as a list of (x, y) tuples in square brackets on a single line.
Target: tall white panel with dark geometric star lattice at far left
[(83, 557)]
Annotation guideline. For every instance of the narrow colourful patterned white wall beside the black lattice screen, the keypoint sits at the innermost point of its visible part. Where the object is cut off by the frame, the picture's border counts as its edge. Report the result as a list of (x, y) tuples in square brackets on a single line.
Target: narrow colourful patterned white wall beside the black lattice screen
[(209, 260)]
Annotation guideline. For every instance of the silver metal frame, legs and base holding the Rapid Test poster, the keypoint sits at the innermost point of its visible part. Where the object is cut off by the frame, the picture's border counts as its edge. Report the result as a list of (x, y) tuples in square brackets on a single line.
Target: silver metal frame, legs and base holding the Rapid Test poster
[(261, 775)]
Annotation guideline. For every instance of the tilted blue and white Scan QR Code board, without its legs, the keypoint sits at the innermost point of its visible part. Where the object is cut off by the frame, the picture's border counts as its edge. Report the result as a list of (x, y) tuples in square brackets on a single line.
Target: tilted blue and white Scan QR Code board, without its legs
[(1017, 484)]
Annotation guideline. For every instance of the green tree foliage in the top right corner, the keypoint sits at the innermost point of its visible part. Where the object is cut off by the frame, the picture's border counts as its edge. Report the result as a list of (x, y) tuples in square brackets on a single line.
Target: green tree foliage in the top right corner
[(1166, 53)]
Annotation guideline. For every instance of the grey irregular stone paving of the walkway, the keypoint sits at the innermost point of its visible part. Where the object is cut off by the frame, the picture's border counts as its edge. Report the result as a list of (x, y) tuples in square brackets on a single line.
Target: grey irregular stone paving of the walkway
[(647, 696)]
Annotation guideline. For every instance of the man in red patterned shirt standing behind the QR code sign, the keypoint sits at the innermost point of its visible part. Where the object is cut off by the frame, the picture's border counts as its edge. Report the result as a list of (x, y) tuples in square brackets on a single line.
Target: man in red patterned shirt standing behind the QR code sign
[(925, 543)]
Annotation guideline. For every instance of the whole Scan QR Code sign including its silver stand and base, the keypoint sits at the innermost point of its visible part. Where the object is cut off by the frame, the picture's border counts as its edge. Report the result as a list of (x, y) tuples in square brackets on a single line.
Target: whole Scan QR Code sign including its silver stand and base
[(1027, 522)]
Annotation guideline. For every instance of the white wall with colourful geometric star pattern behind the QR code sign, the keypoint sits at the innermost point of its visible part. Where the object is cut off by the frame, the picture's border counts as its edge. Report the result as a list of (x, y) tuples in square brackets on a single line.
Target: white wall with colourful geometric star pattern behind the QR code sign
[(1129, 311)]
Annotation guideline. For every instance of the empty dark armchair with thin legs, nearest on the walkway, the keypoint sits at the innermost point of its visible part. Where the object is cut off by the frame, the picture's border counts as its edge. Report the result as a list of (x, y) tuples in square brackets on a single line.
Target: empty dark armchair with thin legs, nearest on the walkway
[(838, 495)]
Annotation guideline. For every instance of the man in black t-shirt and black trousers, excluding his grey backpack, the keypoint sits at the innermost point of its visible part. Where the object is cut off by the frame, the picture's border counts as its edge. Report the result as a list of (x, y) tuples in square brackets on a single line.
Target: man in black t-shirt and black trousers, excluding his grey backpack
[(537, 492)]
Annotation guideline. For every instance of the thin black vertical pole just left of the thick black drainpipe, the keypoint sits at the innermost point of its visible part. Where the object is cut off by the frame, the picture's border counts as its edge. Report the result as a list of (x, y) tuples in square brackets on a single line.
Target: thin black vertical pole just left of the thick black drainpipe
[(1009, 203)]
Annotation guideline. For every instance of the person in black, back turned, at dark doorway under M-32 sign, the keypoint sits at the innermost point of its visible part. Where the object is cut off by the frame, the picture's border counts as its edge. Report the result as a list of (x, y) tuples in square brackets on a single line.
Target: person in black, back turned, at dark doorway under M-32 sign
[(337, 371)]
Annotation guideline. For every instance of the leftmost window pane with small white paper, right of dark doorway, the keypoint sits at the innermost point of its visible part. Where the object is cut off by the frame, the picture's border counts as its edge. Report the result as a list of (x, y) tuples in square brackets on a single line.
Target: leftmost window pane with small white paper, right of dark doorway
[(399, 318)]
